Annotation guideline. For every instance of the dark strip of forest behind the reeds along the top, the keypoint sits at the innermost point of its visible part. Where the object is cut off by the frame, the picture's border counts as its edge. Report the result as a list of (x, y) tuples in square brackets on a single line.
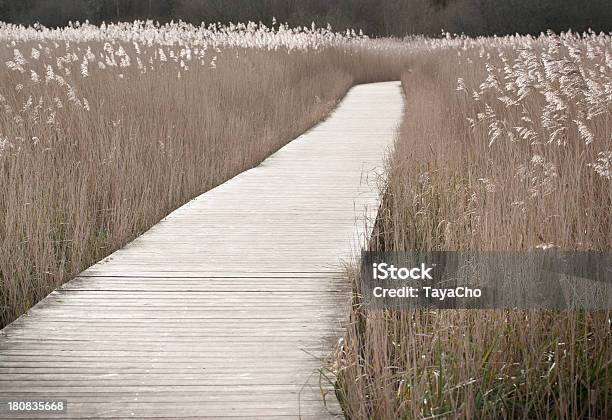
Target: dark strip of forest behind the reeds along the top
[(375, 17)]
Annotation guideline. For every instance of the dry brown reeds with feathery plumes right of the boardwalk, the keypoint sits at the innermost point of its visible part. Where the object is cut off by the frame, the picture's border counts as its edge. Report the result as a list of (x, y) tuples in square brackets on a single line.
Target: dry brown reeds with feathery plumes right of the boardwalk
[(506, 145)]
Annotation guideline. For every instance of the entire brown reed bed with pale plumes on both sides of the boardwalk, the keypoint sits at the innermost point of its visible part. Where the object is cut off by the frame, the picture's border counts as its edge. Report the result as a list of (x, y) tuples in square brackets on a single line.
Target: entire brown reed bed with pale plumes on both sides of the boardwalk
[(506, 145)]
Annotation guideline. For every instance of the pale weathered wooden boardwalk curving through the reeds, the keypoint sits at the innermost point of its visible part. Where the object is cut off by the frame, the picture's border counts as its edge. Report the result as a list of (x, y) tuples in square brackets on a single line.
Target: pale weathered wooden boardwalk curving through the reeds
[(226, 307)]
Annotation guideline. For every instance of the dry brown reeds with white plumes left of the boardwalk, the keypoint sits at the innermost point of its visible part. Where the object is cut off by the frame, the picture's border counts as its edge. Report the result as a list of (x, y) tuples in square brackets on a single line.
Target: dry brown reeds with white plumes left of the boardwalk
[(103, 131)]
